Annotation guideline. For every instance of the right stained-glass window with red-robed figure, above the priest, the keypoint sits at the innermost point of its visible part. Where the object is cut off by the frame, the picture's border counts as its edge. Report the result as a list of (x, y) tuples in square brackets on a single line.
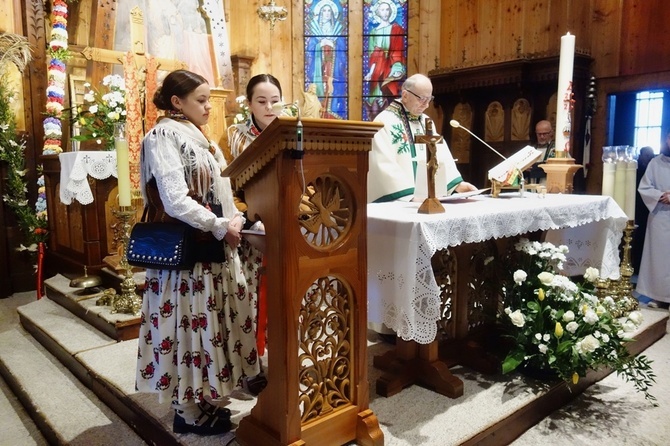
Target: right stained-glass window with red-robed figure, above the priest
[(384, 53)]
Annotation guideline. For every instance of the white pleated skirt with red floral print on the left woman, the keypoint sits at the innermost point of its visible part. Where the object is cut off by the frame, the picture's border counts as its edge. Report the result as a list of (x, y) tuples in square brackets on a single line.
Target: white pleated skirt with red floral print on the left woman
[(198, 329)]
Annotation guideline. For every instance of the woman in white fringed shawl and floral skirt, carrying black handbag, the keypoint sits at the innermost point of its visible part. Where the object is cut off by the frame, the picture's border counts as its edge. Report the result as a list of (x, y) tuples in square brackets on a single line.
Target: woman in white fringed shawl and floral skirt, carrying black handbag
[(197, 339)]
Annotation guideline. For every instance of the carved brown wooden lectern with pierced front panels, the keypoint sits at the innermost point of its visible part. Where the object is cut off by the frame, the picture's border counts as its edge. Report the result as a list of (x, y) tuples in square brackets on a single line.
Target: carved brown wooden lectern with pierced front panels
[(307, 180)]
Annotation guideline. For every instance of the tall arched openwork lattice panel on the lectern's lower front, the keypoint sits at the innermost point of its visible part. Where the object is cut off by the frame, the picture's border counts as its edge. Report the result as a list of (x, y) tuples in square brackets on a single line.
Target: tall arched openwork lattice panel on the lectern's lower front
[(325, 348)]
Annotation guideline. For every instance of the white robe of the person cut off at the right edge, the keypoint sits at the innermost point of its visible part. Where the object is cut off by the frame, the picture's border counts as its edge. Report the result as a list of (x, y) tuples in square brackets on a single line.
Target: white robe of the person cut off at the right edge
[(654, 280)]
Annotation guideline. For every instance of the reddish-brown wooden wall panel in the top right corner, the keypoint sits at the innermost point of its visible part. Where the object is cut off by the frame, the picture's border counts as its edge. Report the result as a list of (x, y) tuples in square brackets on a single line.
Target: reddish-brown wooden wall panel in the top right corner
[(645, 45)]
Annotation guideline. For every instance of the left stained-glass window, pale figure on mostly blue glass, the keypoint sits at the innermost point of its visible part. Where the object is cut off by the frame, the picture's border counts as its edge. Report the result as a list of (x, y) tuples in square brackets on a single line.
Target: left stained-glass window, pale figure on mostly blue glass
[(326, 55)]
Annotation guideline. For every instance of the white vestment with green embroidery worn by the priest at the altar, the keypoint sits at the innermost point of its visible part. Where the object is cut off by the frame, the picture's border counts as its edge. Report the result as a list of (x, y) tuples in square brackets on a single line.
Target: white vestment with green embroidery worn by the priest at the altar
[(394, 158)]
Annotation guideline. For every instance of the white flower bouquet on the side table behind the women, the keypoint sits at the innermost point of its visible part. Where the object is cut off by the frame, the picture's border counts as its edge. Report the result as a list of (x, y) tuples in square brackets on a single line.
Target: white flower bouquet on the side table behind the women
[(101, 111)]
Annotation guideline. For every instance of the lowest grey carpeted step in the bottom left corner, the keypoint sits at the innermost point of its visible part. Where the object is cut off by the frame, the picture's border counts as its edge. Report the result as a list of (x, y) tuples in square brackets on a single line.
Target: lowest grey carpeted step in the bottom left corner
[(54, 397)]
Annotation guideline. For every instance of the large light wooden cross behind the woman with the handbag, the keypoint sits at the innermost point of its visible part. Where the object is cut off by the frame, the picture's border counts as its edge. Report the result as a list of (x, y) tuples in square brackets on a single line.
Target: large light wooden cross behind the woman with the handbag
[(139, 72)]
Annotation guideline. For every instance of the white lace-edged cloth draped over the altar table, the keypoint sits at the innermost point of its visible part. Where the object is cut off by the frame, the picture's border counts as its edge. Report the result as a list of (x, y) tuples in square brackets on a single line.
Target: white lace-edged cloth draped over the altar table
[(402, 291)]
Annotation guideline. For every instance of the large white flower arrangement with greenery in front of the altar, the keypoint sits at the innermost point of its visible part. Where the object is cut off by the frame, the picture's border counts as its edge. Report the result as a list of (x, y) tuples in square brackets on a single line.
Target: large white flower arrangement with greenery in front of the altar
[(559, 325)]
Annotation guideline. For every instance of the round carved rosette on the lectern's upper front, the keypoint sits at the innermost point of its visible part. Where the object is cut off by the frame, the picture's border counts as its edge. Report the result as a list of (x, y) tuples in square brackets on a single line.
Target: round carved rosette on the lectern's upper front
[(326, 212)]
